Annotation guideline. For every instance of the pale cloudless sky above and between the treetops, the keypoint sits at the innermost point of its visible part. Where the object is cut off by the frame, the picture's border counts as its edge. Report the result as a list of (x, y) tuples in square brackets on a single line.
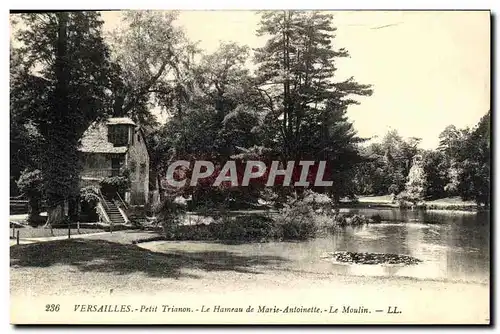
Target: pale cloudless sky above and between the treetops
[(429, 69)]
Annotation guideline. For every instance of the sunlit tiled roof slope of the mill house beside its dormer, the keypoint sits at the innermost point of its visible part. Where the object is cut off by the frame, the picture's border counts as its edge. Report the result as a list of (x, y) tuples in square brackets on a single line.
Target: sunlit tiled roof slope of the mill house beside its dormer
[(95, 140)]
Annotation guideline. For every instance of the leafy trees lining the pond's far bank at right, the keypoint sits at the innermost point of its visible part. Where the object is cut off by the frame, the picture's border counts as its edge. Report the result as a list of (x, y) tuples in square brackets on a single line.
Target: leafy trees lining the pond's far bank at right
[(460, 166)]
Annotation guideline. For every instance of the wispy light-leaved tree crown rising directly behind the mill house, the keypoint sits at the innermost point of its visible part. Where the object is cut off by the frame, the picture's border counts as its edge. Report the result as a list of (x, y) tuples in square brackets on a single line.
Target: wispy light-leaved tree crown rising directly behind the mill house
[(151, 57)]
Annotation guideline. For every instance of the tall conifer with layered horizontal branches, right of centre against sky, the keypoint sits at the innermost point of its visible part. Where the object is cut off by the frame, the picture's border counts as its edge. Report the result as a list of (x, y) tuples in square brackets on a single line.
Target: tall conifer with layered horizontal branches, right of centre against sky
[(306, 105)]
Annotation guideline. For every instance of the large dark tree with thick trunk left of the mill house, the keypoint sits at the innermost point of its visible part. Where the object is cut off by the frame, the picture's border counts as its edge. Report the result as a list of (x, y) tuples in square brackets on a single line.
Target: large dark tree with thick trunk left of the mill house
[(65, 57)]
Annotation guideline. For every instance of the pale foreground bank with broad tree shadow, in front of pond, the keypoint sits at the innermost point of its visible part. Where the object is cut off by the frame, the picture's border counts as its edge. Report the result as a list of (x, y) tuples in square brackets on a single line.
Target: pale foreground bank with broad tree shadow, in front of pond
[(82, 268)]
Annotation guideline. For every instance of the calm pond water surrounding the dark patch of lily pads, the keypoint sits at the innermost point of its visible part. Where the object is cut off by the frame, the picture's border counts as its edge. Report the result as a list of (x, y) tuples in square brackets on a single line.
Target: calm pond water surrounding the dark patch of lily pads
[(453, 246)]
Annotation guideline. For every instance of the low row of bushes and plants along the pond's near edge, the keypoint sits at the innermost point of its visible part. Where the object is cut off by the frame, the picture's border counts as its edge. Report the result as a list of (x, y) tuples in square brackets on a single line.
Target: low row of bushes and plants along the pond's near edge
[(296, 221)]
